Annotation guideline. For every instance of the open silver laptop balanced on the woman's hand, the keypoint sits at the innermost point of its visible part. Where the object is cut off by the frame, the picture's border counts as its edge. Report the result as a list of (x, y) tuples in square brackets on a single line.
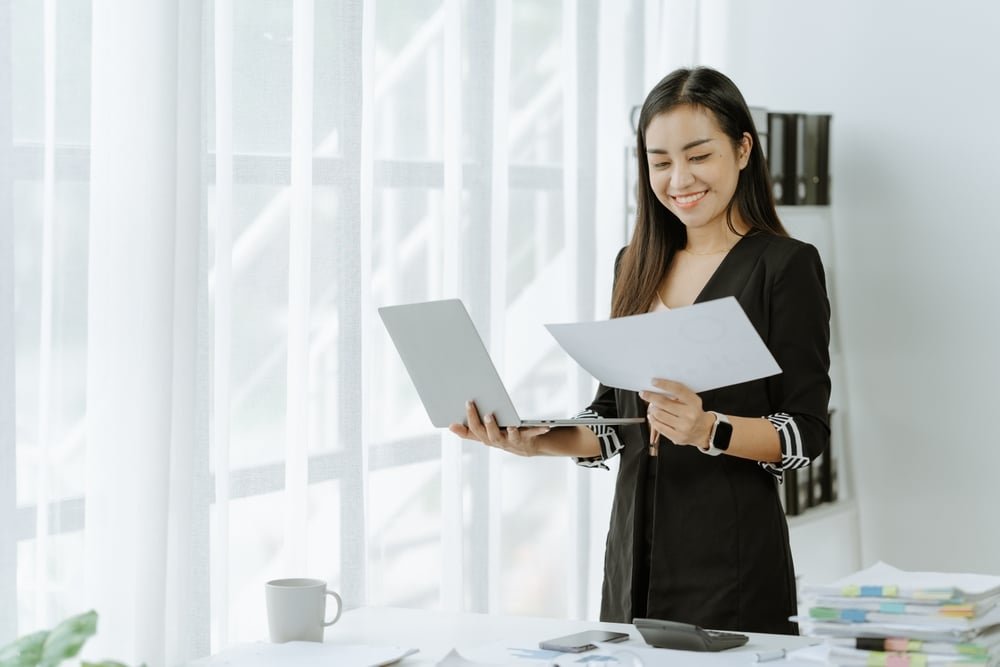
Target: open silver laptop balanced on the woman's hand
[(449, 365)]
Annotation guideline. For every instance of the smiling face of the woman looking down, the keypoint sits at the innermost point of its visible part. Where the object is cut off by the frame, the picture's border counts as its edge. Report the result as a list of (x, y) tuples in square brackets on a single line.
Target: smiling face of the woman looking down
[(693, 165)]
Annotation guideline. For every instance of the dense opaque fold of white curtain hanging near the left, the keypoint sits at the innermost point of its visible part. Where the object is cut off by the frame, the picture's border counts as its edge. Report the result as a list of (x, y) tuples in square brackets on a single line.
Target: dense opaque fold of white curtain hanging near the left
[(144, 178)]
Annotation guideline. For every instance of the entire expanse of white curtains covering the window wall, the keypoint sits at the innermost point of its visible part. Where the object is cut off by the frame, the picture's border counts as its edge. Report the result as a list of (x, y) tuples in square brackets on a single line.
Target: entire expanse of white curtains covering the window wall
[(202, 206)]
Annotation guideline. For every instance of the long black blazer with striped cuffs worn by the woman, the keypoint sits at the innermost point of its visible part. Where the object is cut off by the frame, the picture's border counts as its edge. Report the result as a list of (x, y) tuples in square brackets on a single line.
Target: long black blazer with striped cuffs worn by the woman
[(719, 554)]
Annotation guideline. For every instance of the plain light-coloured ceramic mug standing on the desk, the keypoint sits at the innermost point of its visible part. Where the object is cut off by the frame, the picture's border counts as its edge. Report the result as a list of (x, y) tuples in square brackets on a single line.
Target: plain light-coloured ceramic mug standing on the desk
[(296, 609)]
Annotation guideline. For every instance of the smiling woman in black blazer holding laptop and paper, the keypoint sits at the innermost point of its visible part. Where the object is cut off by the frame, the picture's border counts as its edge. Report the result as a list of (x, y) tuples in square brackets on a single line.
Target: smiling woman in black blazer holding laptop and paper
[(693, 537)]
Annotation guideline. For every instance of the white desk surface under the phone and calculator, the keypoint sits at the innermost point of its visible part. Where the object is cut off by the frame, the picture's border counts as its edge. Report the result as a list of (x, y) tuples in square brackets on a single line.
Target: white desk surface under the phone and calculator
[(436, 633)]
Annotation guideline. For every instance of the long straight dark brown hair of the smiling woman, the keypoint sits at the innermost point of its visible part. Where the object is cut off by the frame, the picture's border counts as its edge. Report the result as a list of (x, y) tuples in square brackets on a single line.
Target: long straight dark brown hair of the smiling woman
[(659, 233)]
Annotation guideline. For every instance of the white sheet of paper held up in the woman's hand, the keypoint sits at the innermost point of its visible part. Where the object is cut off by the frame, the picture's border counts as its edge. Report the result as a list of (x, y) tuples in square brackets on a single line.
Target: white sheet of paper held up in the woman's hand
[(707, 345)]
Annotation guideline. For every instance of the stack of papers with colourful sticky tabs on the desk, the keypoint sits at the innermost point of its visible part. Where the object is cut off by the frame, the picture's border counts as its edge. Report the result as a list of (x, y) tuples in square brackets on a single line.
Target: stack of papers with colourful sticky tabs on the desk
[(886, 616)]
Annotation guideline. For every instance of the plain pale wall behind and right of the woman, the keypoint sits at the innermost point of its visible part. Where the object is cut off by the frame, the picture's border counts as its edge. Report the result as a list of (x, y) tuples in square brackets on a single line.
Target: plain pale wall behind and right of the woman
[(914, 88)]
